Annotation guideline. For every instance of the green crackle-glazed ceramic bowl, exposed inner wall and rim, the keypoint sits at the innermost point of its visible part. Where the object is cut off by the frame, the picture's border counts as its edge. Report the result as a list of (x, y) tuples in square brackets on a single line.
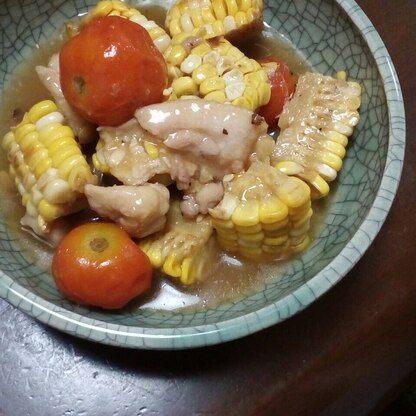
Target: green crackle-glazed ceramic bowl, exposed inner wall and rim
[(332, 35)]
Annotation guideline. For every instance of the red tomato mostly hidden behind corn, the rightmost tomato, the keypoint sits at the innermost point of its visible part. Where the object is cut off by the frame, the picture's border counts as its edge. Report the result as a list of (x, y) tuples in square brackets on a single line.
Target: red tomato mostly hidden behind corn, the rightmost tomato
[(283, 84)]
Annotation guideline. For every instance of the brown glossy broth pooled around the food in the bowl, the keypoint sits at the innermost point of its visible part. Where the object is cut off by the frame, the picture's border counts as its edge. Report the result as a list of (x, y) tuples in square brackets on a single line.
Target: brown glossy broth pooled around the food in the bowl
[(227, 277)]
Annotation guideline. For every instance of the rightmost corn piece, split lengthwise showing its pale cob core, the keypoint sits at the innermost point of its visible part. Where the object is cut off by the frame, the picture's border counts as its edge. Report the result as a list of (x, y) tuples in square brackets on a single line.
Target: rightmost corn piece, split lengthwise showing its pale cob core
[(315, 126)]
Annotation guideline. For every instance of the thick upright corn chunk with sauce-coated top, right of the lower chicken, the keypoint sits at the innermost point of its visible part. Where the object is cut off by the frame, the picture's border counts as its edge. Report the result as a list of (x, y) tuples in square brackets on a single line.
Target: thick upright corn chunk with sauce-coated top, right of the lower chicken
[(264, 214)]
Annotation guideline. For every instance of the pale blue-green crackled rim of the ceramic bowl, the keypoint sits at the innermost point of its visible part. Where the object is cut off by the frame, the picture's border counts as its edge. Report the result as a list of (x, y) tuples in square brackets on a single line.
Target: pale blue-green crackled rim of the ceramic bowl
[(230, 329)]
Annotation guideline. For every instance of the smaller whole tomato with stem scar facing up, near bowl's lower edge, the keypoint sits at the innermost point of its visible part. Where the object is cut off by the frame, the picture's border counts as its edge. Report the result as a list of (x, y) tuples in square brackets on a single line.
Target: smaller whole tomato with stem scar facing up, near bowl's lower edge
[(98, 264)]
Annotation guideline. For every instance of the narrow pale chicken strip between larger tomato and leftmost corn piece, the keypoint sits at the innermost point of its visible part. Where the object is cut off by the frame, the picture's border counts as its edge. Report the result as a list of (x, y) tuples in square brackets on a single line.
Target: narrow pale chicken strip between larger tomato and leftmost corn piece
[(49, 76)]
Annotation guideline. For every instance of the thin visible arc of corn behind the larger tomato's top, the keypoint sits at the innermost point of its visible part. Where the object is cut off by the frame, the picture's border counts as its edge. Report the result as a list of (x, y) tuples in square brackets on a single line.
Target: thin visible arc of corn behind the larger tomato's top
[(118, 8)]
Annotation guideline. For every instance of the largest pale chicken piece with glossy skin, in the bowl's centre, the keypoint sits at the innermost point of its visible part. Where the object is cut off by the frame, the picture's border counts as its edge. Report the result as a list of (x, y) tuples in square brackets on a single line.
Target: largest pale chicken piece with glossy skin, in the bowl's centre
[(206, 139)]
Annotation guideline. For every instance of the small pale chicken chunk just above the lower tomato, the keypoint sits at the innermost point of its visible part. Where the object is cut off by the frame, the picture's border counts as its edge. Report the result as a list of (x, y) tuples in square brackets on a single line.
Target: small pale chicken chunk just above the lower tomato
[(140, 210)]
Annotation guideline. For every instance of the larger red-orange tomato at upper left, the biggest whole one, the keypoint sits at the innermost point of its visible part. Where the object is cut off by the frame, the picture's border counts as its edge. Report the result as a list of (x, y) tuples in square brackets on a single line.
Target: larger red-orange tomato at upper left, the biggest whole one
[(110, 69)]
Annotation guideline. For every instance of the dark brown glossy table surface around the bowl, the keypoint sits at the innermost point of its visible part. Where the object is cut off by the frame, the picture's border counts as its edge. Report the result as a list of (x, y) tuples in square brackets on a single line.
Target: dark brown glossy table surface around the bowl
[(349, 353)]
